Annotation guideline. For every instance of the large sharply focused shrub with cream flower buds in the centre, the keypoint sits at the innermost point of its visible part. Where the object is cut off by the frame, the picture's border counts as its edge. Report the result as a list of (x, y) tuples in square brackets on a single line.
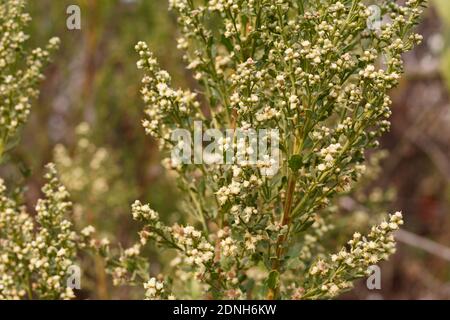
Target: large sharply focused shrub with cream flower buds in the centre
[(312, 70)]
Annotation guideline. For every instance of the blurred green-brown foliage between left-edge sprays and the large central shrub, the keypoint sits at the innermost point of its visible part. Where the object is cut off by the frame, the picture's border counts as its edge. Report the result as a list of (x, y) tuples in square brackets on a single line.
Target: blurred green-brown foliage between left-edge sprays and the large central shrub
[(94, 79)]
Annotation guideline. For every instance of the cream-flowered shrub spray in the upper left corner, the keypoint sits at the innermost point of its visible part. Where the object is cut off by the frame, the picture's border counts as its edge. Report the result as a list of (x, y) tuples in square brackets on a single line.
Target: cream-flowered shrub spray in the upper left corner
[(19, 73)]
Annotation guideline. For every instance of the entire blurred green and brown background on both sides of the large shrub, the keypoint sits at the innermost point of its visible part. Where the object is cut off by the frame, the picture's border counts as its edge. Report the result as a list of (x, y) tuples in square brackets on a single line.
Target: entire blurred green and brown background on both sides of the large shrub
[(87, 120)]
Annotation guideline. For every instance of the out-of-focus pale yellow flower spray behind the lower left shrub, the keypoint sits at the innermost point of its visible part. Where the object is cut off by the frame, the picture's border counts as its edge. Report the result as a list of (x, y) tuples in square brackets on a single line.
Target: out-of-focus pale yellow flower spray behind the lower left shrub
[(94, 181)]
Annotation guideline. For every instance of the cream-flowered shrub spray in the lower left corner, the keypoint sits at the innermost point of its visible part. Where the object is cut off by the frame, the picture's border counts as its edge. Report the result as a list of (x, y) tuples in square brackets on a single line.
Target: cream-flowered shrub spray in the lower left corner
[(35, 254)]
